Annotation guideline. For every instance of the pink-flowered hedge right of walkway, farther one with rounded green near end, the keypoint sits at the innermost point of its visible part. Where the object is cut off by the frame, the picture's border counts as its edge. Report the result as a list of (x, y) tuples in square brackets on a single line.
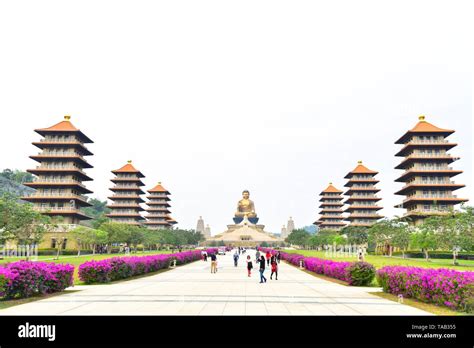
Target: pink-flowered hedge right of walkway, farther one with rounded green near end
[(354, 273)]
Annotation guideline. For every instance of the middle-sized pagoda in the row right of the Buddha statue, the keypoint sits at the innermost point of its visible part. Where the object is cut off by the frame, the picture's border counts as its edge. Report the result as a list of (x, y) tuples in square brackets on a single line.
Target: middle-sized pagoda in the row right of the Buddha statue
[(362, 199)]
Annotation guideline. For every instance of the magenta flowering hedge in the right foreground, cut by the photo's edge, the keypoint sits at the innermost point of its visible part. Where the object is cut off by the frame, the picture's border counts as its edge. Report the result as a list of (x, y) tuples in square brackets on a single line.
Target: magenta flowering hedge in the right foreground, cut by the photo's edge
[(446, 287)]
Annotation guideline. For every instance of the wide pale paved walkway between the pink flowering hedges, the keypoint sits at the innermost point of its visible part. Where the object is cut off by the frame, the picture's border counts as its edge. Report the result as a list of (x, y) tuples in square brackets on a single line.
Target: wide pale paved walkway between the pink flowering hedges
[(192, 290)]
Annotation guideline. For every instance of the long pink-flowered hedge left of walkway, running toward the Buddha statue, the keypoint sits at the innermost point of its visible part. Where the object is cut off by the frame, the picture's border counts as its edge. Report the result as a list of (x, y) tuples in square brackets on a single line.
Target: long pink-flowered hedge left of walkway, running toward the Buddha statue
[(115, 268)]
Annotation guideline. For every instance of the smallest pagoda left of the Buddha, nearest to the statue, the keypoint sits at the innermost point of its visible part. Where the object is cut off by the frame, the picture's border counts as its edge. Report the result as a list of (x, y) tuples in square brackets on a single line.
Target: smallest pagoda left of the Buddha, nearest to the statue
[(158, 204)]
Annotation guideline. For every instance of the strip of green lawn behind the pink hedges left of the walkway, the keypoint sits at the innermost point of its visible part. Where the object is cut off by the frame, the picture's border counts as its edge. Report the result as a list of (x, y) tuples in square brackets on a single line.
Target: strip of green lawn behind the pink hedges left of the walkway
[(77, 260)]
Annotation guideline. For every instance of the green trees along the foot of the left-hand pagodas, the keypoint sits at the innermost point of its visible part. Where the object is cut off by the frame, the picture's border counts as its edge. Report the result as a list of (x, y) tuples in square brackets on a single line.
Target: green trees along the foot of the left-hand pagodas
[(21, 224)]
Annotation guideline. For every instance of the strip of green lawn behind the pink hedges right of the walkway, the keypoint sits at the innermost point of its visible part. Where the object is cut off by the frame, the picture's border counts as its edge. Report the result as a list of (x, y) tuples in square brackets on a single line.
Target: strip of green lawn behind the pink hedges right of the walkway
[(380, 261)]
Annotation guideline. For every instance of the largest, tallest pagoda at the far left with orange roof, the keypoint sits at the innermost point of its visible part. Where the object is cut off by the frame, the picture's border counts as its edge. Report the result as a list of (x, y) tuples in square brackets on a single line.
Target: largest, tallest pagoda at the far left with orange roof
[(59, 176)]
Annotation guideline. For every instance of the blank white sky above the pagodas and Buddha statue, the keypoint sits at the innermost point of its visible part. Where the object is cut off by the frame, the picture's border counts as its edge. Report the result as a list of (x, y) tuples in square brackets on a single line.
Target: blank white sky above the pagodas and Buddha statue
[(214, 97)]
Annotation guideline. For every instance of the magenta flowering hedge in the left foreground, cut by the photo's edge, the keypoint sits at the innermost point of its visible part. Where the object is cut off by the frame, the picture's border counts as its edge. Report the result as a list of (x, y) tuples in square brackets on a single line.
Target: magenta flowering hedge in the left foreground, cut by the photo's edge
[(25, 278)]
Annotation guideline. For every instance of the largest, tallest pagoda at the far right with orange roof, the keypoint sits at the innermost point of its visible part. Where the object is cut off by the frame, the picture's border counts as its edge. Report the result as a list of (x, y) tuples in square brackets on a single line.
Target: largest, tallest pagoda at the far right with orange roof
[(427, 174)]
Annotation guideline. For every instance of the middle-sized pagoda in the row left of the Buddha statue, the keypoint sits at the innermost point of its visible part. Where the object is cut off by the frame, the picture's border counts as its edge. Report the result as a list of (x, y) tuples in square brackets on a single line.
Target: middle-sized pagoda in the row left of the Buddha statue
[(125, 207)]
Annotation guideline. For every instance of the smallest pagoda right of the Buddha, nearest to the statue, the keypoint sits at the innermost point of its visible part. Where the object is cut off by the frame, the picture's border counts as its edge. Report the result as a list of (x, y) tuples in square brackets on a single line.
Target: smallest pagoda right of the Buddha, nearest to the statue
[(331, 209)]
